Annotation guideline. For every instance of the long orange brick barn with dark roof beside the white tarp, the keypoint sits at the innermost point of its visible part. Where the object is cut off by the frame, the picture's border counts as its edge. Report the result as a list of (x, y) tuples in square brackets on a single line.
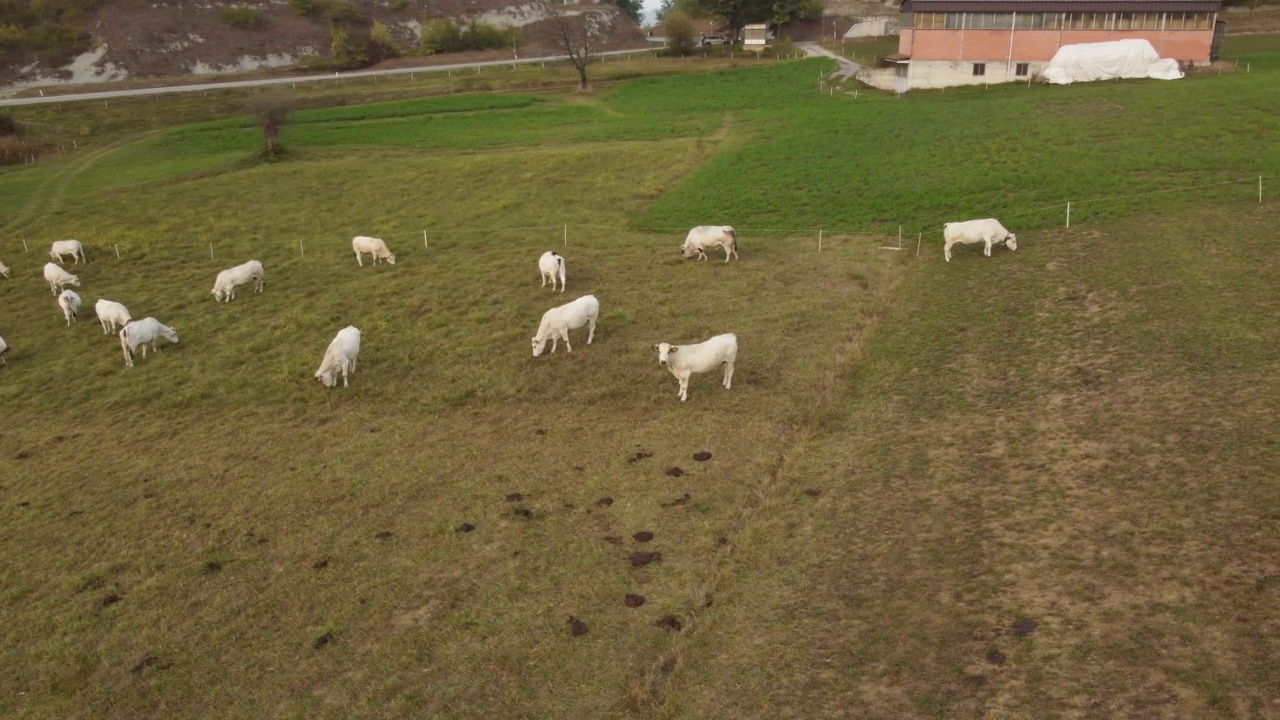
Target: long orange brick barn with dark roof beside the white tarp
[(949, 43)]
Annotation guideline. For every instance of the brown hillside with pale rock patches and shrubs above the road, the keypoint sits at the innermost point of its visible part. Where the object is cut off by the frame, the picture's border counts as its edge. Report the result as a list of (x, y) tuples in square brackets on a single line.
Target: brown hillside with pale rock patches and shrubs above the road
[(131, 39)]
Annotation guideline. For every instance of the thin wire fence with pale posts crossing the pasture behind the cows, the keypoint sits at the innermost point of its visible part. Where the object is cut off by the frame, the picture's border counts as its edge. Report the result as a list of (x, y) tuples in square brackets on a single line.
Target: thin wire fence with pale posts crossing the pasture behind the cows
[(124, 244)]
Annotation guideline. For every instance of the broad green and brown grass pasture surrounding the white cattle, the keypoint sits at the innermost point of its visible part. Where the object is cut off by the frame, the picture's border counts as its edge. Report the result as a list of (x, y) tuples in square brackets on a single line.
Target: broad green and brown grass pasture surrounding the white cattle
[(1040, 485)]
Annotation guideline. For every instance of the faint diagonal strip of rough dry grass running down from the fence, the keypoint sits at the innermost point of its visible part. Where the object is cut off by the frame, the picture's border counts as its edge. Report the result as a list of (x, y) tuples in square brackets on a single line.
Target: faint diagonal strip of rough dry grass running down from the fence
[(651, 691)]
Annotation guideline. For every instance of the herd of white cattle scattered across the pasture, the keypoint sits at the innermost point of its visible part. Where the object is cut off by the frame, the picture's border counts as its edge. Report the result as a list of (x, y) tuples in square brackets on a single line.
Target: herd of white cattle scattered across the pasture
[(683, 361)]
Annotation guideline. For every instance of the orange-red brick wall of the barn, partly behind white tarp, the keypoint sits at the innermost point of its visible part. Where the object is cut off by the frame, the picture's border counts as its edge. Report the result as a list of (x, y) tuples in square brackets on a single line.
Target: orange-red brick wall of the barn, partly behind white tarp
[(1040, 45)]
